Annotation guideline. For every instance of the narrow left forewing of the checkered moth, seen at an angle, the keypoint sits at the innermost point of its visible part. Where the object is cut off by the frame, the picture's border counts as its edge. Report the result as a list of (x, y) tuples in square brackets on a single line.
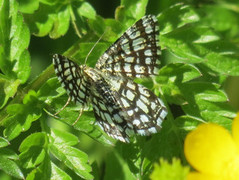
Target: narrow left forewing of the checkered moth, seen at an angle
[(72, 78)]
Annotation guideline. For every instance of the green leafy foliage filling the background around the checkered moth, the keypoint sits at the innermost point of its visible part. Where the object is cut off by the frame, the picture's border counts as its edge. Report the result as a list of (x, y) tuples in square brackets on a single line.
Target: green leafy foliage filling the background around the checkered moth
[(199, 63)]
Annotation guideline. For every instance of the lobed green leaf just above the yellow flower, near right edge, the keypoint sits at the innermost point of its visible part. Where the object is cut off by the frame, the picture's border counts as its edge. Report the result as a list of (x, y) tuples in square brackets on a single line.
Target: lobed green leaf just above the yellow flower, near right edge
[(207, 101)]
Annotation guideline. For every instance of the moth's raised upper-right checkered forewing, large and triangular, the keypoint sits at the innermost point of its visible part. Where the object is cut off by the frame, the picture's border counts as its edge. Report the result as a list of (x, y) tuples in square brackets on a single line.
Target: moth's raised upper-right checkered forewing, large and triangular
[(136, 53)]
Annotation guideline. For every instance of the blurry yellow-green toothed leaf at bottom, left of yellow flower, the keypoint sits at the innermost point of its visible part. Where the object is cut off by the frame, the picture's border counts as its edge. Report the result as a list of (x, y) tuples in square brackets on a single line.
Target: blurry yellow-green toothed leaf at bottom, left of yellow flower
[(166, 171)]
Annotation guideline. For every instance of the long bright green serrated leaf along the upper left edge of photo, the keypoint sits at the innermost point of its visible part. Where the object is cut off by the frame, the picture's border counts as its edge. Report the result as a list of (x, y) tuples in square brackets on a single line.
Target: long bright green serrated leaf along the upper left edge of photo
[(14, 40)]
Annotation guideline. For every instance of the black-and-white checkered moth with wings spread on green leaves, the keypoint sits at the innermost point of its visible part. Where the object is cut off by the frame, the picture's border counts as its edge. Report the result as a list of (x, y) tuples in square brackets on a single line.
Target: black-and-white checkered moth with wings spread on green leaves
[(121, 106)]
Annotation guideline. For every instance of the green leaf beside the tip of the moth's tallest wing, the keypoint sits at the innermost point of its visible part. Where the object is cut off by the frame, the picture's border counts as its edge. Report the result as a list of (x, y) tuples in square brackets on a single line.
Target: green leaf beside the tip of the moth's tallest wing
[(177, 16)]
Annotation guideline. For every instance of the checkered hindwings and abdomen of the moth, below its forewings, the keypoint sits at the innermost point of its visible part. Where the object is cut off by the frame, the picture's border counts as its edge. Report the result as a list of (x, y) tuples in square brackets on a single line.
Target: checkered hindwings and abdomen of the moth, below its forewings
[(123, 108)]
